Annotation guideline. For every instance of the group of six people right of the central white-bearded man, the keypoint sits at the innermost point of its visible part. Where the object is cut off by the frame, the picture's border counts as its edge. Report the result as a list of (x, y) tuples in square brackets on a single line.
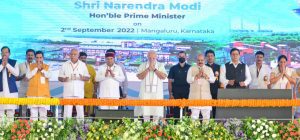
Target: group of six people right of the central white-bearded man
[(203, 80)]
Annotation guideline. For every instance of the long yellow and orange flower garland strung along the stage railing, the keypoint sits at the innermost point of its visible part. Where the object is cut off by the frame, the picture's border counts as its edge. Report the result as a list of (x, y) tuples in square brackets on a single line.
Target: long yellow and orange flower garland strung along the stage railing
[(130, 102)]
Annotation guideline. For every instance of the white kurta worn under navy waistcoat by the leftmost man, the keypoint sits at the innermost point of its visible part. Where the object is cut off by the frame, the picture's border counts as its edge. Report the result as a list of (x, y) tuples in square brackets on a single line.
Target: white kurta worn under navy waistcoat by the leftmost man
[(5, 93)]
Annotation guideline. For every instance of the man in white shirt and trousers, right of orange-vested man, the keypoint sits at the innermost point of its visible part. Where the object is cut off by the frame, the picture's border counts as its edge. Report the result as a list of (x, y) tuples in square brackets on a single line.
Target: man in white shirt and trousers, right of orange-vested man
[(73, 74)]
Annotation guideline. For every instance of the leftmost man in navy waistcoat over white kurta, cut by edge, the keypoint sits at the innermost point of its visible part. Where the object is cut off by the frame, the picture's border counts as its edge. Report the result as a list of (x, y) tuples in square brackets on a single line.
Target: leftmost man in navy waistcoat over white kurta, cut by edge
[(9, 69)]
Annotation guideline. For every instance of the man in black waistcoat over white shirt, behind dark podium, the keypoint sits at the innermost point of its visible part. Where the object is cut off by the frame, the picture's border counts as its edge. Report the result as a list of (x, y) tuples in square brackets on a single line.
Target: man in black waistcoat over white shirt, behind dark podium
[(235, 74)]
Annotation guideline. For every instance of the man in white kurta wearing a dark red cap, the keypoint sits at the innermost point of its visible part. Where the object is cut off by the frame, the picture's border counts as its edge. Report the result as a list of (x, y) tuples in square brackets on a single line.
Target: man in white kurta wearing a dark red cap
[(109, 75)]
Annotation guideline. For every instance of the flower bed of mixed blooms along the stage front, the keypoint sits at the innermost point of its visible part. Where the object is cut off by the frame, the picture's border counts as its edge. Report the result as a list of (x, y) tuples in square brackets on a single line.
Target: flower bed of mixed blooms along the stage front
[(166, 129)]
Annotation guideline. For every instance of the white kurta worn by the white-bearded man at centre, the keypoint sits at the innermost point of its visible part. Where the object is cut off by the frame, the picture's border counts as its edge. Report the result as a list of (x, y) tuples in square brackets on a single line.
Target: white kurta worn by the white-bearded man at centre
[(151, 111)]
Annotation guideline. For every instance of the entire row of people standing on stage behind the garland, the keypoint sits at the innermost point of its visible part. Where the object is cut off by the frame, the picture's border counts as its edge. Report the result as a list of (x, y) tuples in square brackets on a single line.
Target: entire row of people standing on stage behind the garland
[(81, 80)]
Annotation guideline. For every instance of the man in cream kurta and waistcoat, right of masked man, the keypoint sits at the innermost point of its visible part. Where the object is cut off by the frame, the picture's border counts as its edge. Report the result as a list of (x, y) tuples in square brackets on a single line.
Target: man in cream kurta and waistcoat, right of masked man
[(200, 77)]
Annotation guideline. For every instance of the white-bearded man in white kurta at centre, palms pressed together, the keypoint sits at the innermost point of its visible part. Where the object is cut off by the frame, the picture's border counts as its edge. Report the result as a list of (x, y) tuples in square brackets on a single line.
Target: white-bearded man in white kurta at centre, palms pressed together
[(152, 74)]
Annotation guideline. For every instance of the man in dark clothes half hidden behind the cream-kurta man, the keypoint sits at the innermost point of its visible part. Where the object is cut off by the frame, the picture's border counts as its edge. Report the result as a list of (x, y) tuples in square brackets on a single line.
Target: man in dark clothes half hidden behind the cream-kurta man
[(210, 58)]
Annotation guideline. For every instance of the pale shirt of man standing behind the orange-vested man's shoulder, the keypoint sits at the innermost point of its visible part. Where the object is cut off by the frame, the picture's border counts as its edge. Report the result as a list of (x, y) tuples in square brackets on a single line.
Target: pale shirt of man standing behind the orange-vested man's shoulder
[(23, 68)]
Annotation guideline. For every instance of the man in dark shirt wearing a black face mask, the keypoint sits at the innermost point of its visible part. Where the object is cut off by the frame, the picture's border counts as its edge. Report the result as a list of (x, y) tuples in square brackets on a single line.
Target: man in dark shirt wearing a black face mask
[(177, 83)]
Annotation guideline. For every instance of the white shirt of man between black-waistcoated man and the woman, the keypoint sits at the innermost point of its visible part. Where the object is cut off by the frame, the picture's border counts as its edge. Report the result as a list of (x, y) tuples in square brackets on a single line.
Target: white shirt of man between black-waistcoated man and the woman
[(261, 80)]
